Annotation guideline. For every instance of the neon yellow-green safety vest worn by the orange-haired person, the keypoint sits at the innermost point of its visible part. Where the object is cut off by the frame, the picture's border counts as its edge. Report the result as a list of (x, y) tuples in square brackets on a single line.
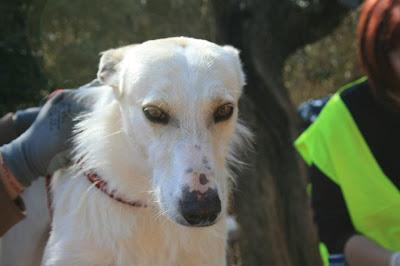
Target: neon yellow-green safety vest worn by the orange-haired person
[(335, 145)]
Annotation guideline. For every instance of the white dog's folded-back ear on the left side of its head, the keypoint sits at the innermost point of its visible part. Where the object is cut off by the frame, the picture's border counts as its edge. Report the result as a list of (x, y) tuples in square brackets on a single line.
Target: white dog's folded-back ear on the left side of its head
[(109, 68)]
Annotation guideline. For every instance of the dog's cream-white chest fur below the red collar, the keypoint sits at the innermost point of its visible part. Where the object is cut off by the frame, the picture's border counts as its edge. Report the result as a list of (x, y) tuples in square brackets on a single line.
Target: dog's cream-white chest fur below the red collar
[(93, 229)]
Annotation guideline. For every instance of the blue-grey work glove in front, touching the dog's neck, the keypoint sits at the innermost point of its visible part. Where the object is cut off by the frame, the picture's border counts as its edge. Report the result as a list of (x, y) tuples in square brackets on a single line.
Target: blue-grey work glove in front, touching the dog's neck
[(31, 154)]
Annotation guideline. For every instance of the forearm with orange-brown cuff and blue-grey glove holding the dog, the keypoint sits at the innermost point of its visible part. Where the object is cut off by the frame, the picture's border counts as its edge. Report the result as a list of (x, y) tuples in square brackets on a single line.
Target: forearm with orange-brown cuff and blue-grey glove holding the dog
[(30, 155)]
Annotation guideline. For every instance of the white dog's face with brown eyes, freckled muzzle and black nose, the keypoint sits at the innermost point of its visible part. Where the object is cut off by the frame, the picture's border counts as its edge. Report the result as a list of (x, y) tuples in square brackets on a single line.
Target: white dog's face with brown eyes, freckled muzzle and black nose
[(179, 104)]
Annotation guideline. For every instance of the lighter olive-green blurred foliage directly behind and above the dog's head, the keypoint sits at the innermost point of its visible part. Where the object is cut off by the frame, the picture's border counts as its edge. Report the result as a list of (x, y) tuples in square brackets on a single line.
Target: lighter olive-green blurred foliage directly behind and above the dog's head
[(75, 32)]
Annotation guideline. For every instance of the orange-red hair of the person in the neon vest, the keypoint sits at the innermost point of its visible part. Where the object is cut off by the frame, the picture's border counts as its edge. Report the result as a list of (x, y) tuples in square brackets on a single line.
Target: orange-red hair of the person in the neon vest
[(379, 35)]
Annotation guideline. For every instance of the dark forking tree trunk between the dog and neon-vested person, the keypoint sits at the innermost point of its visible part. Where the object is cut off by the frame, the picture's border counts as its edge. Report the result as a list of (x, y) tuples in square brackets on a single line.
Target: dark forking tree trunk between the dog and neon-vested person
[(271, 203)]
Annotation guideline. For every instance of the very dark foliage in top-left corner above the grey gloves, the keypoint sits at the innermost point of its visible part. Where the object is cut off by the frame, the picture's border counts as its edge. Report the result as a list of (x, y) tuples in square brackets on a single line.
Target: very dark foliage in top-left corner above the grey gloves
[(20, 74)]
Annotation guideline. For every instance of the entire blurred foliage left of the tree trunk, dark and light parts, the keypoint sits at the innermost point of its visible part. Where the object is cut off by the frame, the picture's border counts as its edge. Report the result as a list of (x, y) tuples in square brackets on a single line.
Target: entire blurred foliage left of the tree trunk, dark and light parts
[(65, 37)]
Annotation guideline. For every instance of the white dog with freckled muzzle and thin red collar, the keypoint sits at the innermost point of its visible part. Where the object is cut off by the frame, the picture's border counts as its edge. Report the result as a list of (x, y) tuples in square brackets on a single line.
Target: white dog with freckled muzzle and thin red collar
[(151, 182)]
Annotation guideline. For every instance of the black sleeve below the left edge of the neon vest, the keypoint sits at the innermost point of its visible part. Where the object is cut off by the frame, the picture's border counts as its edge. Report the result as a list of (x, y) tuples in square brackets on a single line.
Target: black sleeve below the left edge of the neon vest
[(330, 212)]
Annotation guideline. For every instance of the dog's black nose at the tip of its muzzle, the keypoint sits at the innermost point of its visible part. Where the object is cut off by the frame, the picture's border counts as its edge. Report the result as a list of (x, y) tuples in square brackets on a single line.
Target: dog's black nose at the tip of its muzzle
[(200, 209)]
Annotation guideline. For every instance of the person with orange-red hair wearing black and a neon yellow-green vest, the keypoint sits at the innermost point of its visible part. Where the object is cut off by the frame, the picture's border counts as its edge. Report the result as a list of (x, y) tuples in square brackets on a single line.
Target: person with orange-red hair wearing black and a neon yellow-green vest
[(353, 147)]
